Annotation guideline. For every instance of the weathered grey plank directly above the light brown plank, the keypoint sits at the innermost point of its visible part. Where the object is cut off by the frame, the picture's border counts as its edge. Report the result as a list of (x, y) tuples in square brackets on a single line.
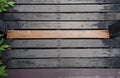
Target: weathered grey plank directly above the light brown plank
[(58, 25)]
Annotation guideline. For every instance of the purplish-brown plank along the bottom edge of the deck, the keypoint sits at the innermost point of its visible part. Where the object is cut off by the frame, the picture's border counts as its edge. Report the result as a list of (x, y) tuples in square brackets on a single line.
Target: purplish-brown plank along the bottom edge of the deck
[(63, 73)]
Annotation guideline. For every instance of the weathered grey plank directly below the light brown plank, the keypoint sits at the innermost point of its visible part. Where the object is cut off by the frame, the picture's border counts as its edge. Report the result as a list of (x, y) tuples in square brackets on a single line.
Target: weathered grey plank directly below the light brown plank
[(57, 43)]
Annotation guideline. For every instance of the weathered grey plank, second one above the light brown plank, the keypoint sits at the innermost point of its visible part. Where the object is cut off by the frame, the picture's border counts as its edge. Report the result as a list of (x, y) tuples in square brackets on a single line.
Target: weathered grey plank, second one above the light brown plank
[(61, 16)]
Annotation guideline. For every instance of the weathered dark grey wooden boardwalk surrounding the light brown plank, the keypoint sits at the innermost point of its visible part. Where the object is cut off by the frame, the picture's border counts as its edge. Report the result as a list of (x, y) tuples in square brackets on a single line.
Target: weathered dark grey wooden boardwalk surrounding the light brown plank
[(37, 57)]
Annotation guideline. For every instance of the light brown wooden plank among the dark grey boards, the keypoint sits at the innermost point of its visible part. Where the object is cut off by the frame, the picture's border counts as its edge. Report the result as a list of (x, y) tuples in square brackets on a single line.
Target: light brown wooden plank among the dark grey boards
[(58, 34)]
